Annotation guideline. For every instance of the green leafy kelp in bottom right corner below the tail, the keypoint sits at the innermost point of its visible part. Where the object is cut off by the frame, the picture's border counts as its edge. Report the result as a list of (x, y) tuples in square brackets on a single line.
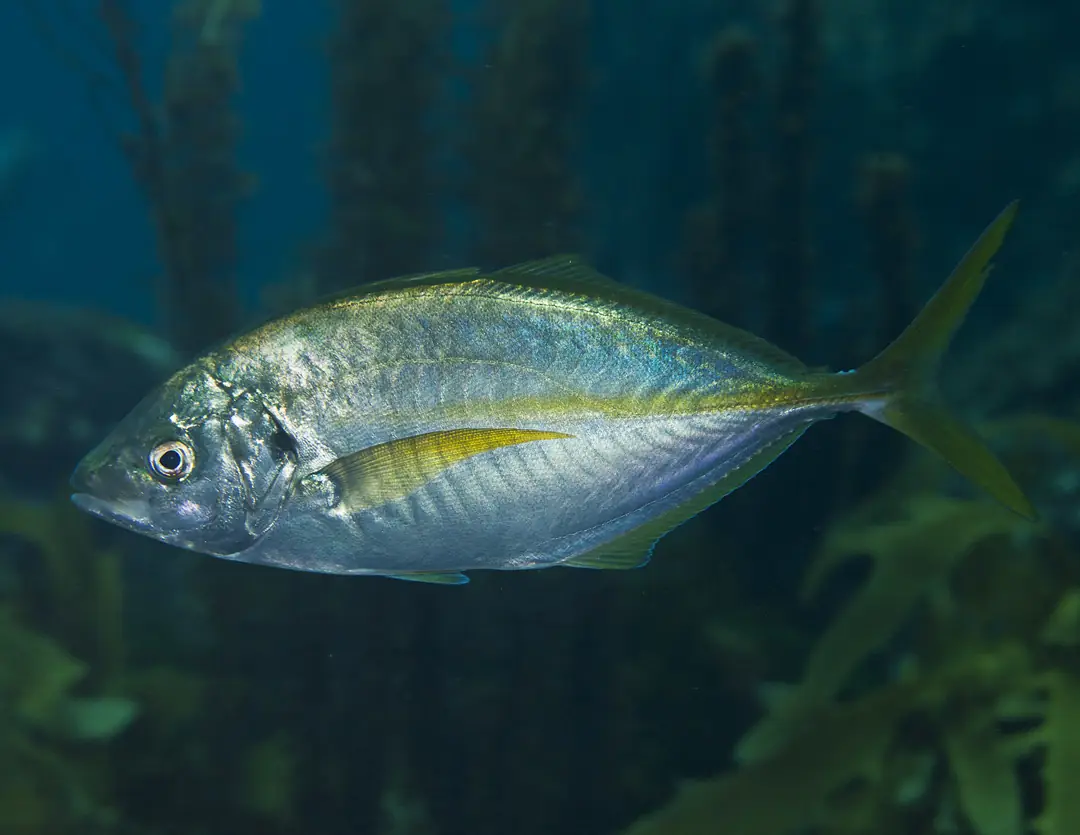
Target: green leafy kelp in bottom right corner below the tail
[(969, 725)]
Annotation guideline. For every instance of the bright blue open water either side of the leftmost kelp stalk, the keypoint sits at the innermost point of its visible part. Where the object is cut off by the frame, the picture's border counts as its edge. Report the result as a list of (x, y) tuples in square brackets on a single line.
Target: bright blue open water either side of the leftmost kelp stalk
[(79, 231)]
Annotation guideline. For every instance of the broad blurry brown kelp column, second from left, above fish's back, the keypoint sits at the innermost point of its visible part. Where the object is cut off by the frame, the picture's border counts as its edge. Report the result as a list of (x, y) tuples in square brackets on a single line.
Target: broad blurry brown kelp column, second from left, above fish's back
[(380, 174)]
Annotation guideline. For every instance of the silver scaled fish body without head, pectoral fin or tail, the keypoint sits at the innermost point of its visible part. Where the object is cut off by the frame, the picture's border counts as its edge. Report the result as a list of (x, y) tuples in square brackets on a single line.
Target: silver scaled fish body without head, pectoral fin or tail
[(646, 405)]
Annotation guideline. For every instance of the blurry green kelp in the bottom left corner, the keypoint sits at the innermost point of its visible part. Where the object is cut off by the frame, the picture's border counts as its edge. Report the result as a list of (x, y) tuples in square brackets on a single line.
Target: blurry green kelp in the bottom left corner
[(57, 709)]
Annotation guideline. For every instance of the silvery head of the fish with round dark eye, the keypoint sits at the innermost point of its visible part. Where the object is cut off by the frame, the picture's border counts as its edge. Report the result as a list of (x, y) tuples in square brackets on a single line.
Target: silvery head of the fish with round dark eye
[(195, 465)]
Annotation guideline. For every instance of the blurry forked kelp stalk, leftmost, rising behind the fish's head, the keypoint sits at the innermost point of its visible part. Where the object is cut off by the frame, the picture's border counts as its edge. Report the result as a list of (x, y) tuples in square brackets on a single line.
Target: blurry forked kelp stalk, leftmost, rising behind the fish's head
[(183, 157)]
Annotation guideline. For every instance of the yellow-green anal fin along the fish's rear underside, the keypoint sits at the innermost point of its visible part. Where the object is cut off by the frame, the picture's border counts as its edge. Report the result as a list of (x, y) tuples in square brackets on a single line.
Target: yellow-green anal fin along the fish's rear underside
[(634, 549)]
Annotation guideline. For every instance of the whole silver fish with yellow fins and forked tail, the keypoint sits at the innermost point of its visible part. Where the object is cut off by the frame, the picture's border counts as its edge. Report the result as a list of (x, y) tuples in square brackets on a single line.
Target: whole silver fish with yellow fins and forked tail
[(539, 415)]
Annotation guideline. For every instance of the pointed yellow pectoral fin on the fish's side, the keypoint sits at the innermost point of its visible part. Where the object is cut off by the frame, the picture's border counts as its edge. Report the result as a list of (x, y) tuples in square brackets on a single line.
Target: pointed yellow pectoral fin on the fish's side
[(397, 468)]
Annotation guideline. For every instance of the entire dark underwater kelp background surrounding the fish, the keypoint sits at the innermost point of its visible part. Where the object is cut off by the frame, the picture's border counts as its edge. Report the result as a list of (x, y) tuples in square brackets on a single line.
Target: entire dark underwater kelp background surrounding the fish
[(855, 643)]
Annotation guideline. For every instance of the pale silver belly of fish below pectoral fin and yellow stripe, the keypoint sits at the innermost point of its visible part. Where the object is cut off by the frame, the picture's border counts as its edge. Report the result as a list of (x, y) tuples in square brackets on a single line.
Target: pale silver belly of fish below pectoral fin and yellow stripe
[(537, 504)]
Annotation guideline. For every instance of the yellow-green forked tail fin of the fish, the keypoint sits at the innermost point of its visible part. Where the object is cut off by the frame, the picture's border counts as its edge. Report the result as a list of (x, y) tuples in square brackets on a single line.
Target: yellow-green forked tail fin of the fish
[(900, 384)]
